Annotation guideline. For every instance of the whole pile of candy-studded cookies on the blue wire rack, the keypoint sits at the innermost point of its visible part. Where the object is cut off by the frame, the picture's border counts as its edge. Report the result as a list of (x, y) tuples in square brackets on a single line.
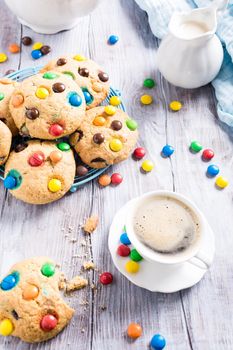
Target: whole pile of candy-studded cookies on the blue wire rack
[(50, 112)]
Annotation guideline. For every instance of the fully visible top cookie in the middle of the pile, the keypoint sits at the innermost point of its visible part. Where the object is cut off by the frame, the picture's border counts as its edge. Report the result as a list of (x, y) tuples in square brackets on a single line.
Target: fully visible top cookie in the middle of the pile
[(47, 106)]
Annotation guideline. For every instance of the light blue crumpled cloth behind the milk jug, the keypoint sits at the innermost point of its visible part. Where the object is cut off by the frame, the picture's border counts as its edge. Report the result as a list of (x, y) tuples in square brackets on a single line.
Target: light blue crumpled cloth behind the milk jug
[(159, 14)]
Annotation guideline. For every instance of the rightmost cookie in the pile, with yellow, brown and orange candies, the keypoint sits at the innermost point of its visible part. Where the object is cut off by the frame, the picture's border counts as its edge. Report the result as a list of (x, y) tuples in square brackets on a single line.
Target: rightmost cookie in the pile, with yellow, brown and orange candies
[(106, 136)]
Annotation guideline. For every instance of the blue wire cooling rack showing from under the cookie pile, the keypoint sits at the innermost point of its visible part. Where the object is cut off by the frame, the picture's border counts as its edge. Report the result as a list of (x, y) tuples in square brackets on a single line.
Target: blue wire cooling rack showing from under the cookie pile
[(92, 173)]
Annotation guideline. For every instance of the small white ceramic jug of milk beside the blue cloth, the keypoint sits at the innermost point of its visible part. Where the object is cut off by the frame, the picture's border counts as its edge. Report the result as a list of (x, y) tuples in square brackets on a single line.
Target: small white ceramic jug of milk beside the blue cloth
[(191, 54)]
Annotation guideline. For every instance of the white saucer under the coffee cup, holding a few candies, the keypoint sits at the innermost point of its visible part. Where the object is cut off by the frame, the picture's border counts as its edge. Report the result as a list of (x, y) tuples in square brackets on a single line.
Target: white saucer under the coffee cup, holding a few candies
[(153, 276)]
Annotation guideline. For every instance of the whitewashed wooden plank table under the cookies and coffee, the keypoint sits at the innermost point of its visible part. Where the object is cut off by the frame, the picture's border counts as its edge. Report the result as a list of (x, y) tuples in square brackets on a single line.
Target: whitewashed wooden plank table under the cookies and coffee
[(198, 318)]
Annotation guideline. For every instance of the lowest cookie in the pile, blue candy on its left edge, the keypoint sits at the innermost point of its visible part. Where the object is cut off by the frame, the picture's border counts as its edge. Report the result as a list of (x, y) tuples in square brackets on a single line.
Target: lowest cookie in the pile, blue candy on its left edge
[(39, 172)]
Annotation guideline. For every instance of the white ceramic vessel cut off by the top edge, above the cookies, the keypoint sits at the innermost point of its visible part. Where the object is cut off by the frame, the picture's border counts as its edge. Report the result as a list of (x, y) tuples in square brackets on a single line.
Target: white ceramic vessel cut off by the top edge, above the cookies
[(50, 16)]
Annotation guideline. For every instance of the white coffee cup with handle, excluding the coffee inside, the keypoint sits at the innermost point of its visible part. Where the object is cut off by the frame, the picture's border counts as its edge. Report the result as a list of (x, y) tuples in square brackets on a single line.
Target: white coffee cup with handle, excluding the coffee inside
[(193, 254)]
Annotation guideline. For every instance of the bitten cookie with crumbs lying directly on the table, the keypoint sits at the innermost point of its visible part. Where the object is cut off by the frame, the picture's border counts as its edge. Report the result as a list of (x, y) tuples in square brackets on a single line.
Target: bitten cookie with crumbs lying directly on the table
[(31, 306)]
